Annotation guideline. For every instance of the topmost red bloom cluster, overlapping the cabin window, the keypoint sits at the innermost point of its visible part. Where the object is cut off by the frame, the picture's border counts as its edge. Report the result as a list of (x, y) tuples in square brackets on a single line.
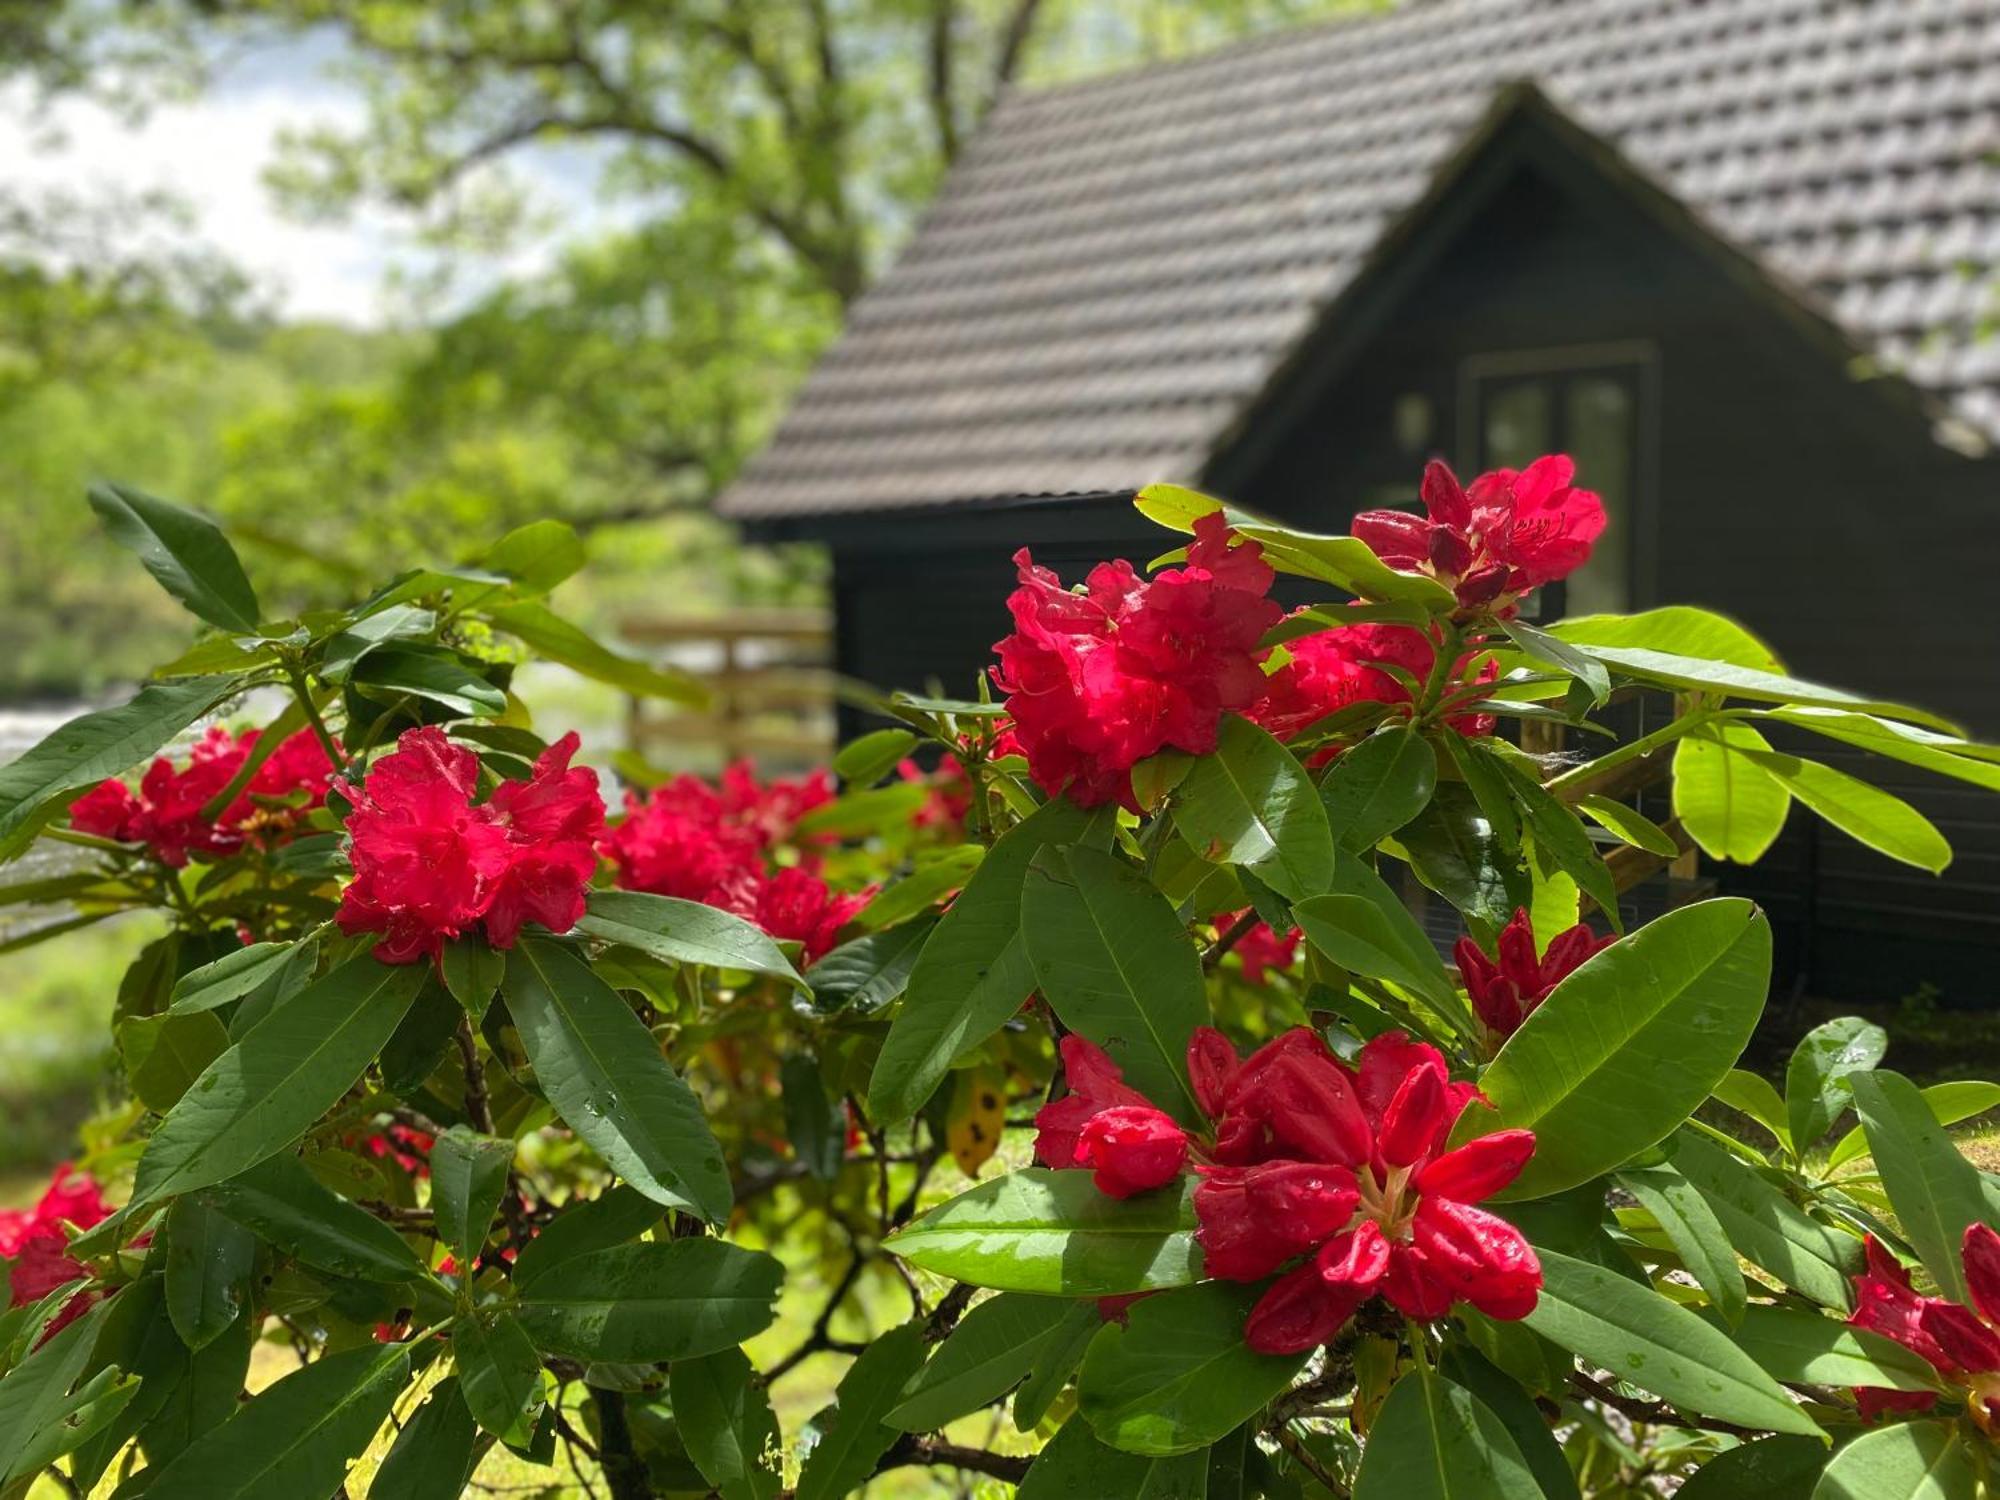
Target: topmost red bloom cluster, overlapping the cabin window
[(1503, 537)]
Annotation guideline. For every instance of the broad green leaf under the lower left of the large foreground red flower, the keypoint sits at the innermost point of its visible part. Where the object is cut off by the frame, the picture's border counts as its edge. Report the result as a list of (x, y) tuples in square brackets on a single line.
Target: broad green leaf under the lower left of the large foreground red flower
[(1179, 1375)]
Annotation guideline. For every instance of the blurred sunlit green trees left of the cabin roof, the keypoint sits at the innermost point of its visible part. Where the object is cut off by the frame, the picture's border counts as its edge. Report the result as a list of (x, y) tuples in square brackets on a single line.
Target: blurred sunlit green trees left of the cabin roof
[(755, 167)]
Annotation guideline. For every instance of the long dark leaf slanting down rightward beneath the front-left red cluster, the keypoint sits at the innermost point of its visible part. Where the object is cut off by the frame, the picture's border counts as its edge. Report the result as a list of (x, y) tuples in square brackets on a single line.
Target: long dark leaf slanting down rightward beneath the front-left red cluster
[(611, 1085)]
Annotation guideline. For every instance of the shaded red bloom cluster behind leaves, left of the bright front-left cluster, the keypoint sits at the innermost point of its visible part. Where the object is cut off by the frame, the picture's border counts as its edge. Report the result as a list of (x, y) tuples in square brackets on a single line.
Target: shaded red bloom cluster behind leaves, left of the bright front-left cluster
[(167, 811)]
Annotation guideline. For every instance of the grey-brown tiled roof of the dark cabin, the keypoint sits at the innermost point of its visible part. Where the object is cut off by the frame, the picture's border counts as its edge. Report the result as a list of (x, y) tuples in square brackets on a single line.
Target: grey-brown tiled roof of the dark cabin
[(1115, 269)]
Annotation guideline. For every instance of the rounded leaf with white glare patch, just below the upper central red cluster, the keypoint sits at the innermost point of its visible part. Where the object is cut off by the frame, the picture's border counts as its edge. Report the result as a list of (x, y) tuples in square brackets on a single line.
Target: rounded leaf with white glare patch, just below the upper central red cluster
[(1251, 803)]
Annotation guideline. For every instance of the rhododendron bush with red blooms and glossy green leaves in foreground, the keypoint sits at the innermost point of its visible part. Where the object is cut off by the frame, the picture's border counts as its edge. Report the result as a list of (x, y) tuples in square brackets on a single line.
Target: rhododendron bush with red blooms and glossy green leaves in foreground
[(1217, 1057)]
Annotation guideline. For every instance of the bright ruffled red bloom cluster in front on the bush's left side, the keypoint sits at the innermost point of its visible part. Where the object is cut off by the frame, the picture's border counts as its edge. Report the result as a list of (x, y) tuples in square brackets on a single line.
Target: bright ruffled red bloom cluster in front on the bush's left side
[(429, 865)]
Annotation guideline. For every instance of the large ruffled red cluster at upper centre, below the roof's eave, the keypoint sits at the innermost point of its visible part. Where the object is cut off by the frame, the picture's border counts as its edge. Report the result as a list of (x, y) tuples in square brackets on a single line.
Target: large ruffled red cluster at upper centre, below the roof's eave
[(1099, 681)]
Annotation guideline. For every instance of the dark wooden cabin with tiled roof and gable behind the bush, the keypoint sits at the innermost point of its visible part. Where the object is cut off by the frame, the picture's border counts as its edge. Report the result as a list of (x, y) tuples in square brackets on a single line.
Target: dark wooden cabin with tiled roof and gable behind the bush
[(1737, 257)]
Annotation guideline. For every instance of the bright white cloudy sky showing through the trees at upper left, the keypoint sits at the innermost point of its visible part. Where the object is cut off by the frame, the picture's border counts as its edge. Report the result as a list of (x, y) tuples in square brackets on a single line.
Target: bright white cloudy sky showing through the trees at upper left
[(213, 151)]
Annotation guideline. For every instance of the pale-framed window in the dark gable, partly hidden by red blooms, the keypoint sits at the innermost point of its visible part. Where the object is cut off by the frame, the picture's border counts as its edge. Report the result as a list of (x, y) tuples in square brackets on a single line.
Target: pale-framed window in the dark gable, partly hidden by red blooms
[(1591, 405)]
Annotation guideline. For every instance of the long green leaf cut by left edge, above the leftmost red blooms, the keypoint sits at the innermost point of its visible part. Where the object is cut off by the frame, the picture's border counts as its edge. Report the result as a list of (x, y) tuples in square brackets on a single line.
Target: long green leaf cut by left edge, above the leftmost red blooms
[(93, 747)]
